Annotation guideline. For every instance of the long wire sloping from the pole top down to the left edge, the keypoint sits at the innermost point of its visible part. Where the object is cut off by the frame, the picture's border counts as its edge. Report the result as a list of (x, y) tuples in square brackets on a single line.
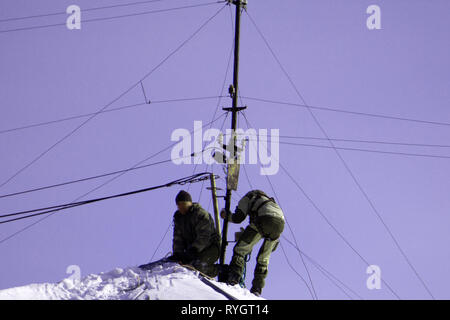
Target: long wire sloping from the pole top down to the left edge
[(116, 99)]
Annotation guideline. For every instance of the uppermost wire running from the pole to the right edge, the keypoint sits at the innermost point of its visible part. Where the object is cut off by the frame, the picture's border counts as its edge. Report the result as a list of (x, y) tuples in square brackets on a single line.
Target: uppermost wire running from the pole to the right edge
[(350, 112)]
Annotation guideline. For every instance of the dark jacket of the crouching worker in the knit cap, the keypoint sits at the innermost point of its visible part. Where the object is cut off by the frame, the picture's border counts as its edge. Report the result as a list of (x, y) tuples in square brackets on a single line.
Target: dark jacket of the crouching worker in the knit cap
[(194, 229)]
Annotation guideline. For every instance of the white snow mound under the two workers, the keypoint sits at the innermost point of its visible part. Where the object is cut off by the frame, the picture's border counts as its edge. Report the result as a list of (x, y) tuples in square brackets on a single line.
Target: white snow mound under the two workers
[(168, 281)]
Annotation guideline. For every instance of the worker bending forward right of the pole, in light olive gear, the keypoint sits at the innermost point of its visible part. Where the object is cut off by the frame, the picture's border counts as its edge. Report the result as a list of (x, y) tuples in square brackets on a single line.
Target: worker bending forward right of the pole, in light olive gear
[(266, 222)]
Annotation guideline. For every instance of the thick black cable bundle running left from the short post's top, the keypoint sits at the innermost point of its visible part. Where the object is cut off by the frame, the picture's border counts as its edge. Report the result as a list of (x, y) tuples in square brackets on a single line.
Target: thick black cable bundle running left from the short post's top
[(190, 179)]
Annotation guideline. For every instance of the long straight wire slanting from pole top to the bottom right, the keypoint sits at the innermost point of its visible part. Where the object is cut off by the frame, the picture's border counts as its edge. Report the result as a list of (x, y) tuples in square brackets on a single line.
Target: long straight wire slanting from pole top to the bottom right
[(370, 202)]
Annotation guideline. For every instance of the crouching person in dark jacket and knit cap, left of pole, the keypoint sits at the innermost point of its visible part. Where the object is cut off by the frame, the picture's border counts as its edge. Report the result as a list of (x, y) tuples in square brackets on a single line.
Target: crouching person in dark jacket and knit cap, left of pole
[(195, 239)]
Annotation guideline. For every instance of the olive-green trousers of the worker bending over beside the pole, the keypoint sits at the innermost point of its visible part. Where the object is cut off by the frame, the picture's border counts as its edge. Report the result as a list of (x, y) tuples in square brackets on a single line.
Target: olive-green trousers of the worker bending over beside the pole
[(269, 229)]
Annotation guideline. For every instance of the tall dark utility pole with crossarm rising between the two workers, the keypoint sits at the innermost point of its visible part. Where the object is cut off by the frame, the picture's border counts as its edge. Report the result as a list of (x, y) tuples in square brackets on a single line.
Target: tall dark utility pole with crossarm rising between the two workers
[(234, 90)]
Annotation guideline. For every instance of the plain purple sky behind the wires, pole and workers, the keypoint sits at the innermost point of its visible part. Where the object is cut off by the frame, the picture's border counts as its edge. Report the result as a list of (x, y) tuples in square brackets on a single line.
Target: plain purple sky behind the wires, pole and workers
[(335, 61)]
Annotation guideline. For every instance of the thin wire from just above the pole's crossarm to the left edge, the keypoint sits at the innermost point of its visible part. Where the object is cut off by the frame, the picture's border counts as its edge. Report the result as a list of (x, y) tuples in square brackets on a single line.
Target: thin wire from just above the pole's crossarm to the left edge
[(104, 111)]
